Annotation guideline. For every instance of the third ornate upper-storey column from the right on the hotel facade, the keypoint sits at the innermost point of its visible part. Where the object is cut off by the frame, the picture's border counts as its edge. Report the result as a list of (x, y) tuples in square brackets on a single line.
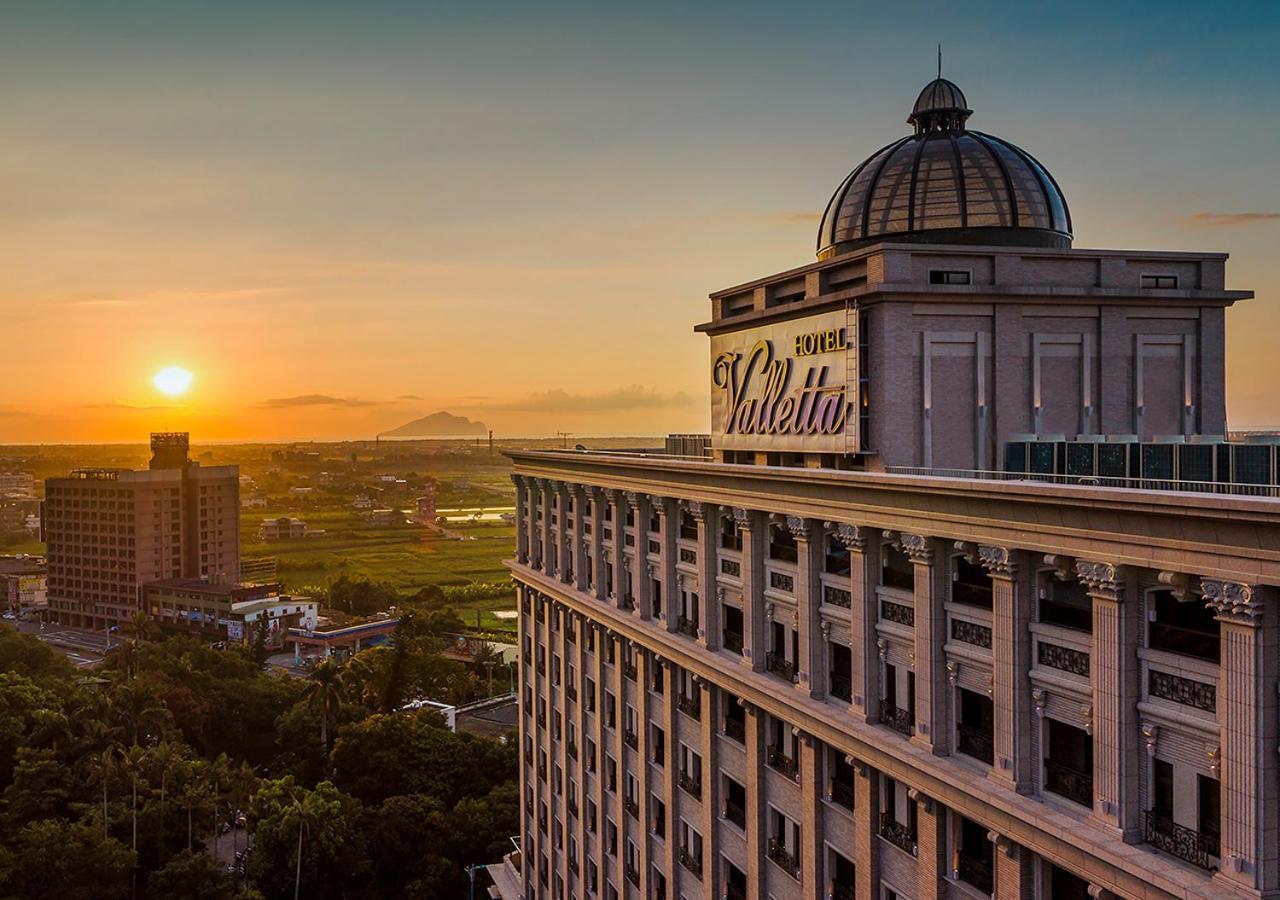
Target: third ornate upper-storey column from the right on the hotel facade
[(1011, 659)]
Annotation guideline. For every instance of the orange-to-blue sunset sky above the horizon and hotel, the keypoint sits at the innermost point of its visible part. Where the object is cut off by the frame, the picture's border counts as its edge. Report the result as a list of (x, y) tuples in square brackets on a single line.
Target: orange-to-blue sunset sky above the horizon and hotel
[(345, 222)]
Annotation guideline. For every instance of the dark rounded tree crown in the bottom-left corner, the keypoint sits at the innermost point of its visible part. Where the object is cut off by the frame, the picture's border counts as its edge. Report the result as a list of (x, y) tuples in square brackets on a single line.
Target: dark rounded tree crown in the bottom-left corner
[(56, 860)]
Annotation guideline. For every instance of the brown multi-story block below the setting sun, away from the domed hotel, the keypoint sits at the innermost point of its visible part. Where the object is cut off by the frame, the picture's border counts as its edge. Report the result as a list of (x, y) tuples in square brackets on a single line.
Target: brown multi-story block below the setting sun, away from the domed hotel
[(109, 532)]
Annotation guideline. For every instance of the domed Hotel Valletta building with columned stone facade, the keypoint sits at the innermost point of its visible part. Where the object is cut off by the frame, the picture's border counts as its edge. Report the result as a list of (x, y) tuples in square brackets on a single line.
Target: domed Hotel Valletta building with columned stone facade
[(971, 597)]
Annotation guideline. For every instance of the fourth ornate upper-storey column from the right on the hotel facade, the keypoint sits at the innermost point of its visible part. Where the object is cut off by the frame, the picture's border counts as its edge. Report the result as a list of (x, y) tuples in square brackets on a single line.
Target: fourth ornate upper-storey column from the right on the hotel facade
[(931, 677)]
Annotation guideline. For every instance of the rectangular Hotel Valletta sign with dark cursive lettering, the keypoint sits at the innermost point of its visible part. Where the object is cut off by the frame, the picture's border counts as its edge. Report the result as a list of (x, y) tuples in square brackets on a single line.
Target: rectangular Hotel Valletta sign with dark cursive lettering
[(789, 386)]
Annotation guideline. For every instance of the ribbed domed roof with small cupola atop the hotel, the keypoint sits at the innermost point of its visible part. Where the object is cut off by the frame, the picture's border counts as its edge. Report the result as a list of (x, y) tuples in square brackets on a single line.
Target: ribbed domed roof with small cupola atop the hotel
[(947, 185)]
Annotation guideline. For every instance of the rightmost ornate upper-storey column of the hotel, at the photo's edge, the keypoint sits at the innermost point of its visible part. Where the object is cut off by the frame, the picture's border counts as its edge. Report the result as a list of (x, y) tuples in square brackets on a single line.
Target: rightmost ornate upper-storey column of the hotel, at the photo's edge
[(1247, 718)]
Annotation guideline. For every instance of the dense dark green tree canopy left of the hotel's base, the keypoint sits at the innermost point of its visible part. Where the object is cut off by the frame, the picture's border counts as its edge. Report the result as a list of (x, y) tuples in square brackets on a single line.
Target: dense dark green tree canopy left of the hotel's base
[(120, 784)]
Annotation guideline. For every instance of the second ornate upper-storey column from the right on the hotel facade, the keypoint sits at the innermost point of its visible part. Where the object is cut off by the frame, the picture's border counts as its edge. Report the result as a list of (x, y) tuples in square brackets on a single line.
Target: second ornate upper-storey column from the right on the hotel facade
[(1116, 677)]
